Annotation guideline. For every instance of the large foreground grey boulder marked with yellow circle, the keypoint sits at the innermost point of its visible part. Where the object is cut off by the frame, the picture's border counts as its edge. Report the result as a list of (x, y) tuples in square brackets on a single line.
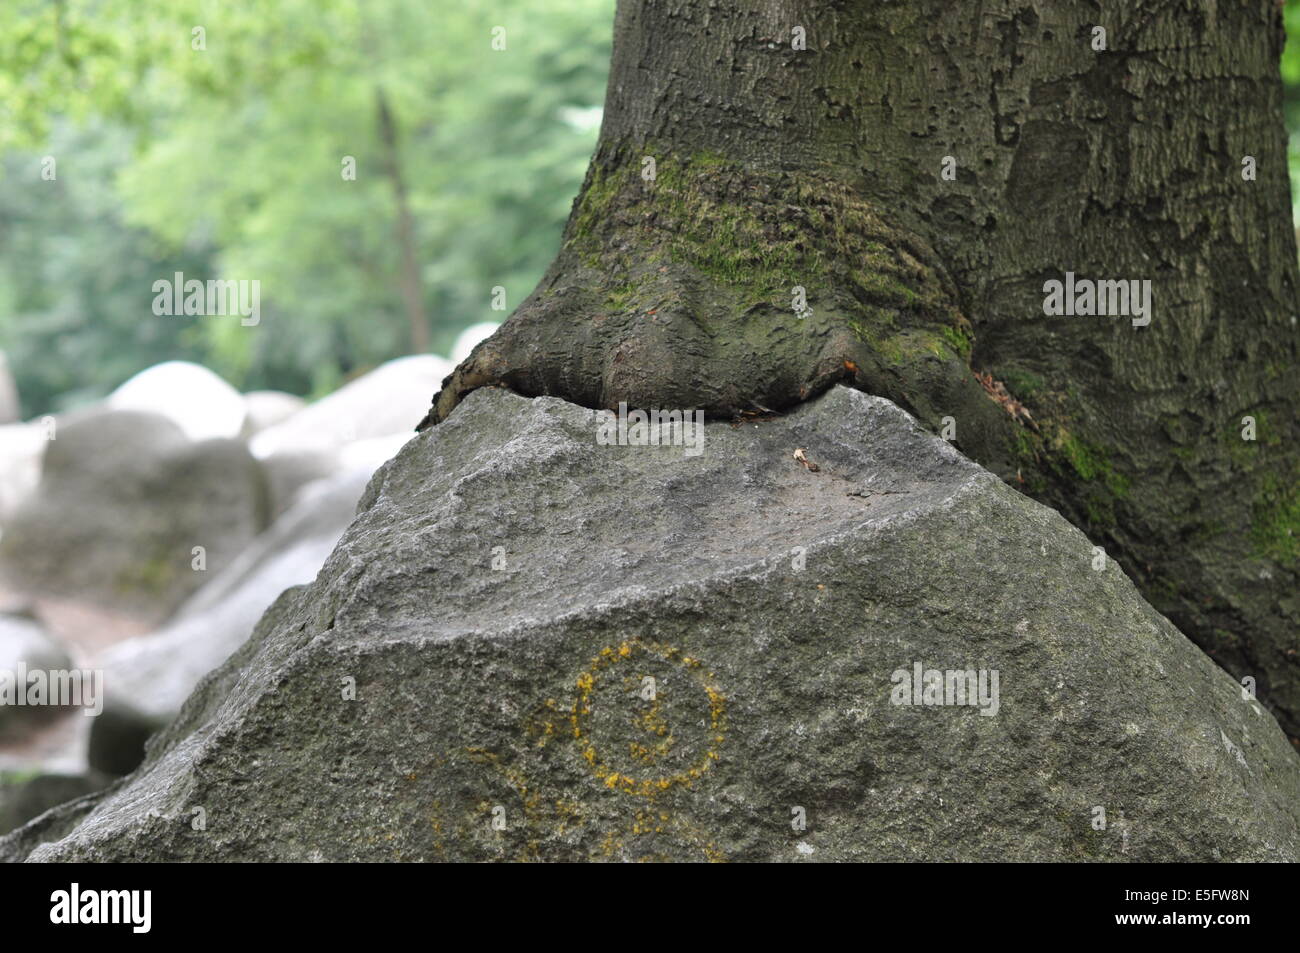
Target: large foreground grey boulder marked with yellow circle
[(534, 646)]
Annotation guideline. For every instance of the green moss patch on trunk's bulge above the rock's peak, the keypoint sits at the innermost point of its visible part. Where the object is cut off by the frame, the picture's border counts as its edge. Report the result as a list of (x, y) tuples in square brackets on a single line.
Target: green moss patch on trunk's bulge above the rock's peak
[(759, 235)]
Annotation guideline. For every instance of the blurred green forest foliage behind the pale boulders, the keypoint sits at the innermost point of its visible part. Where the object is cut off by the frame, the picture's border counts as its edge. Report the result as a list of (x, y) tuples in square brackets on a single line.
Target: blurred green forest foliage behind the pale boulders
[(213, 140)]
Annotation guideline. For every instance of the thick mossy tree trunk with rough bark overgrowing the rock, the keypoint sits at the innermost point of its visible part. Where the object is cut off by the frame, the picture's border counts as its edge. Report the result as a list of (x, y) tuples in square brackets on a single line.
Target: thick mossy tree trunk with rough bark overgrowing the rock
[(824, 170)]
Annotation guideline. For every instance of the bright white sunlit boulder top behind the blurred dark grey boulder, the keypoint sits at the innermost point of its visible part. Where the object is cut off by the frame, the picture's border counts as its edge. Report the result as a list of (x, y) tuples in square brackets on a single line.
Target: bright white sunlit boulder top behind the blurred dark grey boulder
[(197, 400)]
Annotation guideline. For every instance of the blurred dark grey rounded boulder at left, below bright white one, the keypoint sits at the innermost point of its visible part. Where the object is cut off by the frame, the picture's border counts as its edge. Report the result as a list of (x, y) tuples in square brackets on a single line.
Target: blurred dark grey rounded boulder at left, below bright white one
[(124, 500)]
